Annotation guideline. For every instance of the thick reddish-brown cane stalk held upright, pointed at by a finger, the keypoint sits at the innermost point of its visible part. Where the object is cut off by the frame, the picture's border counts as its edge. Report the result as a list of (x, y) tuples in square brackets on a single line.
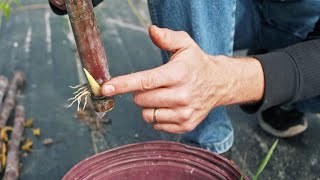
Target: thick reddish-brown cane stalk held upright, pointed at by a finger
[(90, 49)]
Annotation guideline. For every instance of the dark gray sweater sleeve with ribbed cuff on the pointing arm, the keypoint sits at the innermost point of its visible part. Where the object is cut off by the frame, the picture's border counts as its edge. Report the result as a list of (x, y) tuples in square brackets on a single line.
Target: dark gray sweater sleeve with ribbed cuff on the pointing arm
[(291, 74)]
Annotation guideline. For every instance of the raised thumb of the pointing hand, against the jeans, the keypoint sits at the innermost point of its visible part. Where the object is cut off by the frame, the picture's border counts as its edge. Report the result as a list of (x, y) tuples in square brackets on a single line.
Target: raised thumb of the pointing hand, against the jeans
[(169, 40)]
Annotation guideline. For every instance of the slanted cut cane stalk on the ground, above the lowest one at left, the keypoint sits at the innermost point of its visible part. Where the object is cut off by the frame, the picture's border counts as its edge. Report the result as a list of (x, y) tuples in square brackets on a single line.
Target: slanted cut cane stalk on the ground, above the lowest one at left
[(10, 100)]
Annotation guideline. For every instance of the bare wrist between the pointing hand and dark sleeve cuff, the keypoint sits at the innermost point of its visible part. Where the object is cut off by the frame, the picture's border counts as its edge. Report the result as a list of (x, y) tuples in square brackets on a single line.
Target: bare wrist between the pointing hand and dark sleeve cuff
[(245, 79)]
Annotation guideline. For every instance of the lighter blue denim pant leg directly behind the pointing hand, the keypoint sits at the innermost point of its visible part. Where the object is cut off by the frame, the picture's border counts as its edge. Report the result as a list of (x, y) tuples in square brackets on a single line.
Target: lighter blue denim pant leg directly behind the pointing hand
[(211, 24)]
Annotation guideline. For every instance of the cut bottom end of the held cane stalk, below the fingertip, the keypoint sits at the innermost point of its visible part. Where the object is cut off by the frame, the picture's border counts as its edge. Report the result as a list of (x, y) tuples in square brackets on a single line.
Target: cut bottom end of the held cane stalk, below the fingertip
[(102, 103)]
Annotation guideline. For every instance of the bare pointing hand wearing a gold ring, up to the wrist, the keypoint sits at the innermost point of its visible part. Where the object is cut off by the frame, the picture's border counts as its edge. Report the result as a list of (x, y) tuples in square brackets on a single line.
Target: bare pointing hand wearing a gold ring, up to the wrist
[(185, 89)]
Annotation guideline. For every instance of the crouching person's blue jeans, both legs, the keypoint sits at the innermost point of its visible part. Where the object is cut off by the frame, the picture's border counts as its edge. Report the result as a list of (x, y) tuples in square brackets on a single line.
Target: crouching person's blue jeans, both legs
[(221, 26)]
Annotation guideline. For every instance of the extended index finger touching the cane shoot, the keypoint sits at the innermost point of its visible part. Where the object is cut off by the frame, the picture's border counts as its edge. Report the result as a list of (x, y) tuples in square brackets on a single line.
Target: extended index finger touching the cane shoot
[(162, 76)]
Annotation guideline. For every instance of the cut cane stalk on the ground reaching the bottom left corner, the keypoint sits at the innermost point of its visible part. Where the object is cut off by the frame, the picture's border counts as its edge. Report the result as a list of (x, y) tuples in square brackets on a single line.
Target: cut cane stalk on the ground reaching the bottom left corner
[(12, 166)]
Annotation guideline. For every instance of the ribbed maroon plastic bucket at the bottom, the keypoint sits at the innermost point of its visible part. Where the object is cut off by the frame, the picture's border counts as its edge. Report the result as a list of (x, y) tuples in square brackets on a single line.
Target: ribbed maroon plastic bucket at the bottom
[(155, 160)]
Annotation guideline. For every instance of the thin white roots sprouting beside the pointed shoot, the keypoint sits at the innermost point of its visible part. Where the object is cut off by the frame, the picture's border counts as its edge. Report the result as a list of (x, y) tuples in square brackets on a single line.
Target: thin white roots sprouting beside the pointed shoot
[(81, 93)]
